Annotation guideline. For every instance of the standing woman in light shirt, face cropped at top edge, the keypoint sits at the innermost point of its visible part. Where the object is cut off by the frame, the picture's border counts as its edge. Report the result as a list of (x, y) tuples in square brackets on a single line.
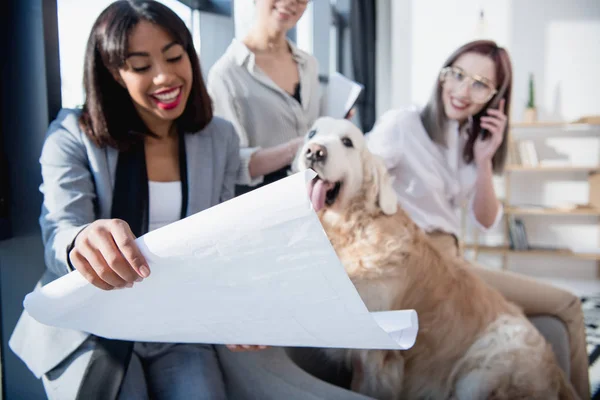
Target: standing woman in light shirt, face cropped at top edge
[(269, 90)]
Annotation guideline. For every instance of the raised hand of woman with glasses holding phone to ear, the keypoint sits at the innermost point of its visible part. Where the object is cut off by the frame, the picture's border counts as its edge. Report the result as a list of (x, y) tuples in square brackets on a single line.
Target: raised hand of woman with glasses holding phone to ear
[(495, 123)]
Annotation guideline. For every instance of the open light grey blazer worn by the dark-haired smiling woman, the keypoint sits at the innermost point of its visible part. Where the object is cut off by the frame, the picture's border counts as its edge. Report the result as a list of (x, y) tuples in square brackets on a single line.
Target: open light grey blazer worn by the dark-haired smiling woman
[(78, 180)]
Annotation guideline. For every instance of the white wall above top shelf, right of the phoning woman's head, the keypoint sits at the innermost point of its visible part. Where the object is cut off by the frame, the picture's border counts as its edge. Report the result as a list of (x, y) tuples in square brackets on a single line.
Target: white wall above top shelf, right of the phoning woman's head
[(559, 42)]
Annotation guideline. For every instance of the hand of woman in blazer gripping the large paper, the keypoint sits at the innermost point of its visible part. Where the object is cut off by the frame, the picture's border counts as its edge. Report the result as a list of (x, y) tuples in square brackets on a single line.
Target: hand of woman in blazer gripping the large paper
[(106, 255)]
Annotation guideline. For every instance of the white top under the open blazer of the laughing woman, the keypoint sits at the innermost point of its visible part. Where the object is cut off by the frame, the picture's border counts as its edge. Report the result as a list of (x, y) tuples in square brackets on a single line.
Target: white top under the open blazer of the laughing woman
[(164, 200)]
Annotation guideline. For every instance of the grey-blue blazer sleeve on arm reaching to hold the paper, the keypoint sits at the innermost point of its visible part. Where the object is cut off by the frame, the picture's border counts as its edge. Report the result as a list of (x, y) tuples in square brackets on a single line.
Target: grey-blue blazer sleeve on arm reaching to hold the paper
[(68, 193)]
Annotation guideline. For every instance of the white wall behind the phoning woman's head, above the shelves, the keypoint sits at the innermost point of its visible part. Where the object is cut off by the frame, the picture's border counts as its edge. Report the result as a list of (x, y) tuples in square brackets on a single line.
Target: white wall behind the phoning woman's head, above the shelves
[(556, 41)]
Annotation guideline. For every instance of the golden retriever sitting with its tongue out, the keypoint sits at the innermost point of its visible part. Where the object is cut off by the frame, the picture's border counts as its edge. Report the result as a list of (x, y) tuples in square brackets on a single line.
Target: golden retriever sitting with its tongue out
[(472, 343)]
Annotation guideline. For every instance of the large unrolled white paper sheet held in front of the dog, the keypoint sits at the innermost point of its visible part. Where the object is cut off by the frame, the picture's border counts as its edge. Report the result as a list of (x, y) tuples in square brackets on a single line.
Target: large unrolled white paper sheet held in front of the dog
[(258, 269)]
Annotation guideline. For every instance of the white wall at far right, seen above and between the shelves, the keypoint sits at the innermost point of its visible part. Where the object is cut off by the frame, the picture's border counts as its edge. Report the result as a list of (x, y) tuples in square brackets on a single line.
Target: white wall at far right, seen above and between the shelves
[(559, 42)]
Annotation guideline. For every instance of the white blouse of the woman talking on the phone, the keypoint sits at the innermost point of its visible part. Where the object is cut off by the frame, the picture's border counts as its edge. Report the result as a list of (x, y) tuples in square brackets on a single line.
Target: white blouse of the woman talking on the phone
[(432, 181)]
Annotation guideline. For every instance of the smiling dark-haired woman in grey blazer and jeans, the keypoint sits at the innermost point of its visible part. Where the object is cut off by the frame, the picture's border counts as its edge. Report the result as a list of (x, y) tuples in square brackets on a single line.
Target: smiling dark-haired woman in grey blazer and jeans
[(143, 151)]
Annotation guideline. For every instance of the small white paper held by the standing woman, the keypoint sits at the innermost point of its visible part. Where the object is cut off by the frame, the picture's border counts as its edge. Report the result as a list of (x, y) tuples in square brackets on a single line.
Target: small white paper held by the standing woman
[(341, 95)]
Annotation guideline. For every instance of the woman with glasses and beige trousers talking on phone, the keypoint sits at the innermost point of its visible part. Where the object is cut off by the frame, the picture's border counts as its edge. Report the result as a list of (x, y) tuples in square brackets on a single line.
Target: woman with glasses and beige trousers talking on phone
[(444, 156)]
